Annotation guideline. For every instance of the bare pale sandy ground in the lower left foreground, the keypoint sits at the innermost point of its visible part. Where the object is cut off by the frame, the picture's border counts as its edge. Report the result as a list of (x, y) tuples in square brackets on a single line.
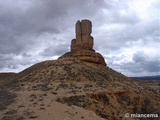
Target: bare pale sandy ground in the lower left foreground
[(39, 105)]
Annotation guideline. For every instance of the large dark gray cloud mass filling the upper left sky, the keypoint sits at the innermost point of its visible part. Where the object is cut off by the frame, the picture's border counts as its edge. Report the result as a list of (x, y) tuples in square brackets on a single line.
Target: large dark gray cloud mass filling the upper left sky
[(44, 16)]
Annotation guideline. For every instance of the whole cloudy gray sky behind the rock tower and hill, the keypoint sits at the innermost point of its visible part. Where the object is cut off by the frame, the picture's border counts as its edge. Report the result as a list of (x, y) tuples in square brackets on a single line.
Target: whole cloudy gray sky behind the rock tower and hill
[(126, 32)]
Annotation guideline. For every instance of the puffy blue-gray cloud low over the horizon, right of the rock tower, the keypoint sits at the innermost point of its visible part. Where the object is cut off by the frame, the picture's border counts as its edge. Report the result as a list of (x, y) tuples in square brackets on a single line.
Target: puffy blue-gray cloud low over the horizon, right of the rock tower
[(141, 65)]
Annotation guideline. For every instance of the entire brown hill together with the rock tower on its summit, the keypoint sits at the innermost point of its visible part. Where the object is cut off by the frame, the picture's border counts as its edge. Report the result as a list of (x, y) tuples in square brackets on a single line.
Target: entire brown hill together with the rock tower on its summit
[(77, 86)]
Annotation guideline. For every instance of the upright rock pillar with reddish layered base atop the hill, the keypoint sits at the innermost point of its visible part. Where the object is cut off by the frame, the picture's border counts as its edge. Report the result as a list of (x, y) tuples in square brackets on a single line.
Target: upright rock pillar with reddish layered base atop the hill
[(82, 46)]
